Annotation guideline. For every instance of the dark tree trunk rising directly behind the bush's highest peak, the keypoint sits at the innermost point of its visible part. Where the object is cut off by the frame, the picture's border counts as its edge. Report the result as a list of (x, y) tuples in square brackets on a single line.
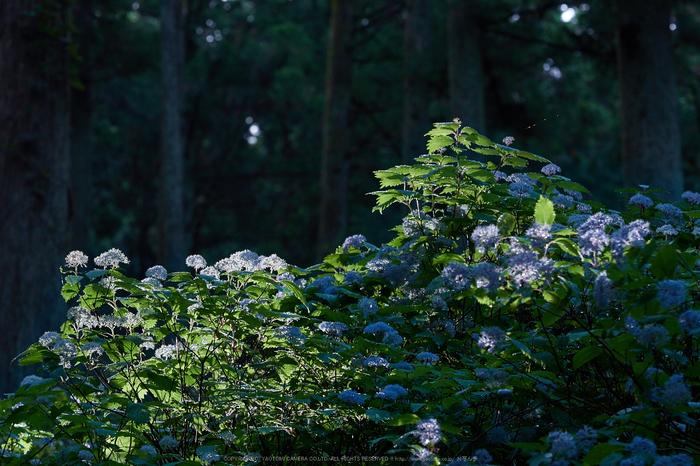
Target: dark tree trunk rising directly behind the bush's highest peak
[(466, 67)]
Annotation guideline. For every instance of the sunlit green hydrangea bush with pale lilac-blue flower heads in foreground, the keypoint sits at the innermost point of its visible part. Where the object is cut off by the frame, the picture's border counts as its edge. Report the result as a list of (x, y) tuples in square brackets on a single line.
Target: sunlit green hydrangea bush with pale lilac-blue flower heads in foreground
[(510, 321)]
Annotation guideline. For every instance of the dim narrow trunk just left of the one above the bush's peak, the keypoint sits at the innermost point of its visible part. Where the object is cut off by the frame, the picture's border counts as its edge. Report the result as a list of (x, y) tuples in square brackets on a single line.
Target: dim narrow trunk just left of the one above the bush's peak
[(416, 121)]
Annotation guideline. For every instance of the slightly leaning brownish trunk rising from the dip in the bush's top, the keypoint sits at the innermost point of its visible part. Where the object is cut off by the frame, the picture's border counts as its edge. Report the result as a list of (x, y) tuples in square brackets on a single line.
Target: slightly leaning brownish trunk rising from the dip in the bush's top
[(334, 165)]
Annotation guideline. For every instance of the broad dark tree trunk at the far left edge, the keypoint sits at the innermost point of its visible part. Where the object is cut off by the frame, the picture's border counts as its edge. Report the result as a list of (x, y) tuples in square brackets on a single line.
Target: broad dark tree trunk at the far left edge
[(34, 174)]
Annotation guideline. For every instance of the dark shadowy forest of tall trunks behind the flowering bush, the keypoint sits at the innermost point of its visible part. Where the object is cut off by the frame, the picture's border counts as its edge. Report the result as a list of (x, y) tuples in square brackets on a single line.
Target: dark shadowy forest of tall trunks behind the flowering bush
[(174, 127)]
